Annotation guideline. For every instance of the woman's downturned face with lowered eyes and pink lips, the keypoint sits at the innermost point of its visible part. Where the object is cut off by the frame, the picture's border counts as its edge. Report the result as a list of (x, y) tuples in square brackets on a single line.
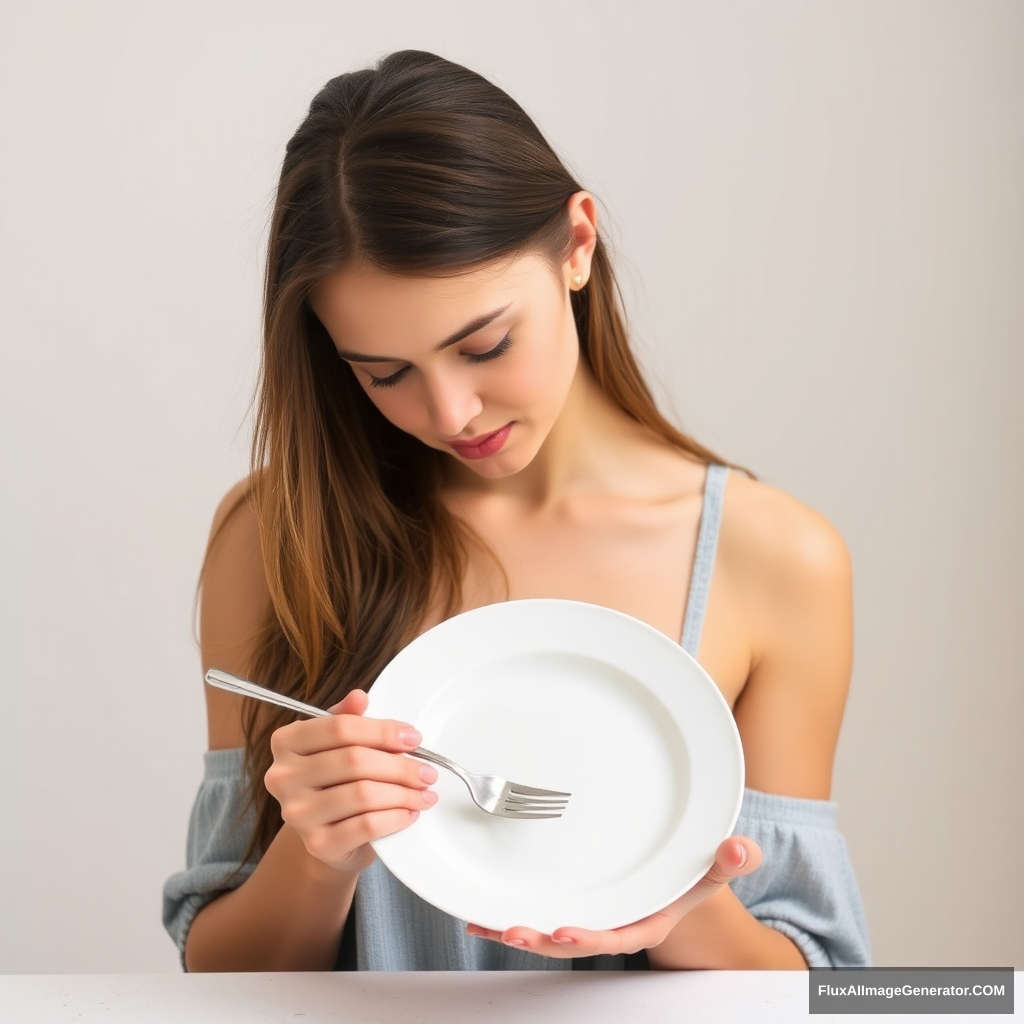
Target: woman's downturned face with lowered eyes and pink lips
[(478, 366)]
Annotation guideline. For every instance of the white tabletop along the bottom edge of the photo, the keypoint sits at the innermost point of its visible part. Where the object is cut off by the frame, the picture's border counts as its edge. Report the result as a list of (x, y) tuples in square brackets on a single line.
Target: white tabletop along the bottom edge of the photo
[(537, 998)]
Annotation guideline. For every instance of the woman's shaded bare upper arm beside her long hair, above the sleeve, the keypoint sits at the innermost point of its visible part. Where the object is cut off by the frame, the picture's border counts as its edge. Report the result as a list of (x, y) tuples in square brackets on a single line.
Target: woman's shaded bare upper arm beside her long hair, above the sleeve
[(234, 605)]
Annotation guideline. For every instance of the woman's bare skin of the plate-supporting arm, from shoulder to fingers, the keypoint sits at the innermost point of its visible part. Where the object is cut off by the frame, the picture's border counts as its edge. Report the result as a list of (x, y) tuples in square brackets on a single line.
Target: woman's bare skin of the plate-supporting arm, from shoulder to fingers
[(787, 573)]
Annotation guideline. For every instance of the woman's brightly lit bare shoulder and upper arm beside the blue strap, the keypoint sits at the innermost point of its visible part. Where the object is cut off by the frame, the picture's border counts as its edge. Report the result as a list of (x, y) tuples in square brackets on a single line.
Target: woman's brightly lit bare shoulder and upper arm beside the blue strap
[(789, 569)]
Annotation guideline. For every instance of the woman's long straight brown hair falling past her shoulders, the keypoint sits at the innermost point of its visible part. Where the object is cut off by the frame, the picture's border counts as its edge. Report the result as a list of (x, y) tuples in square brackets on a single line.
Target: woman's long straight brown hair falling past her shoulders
[(415, 166)]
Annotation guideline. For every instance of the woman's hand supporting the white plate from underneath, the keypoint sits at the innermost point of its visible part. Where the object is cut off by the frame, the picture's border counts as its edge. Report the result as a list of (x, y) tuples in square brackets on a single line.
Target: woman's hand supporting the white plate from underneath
[(736, 857)]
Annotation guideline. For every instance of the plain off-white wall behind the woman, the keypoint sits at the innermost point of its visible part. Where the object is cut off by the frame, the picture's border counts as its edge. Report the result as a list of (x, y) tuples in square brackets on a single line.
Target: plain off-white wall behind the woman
[(819, 218)]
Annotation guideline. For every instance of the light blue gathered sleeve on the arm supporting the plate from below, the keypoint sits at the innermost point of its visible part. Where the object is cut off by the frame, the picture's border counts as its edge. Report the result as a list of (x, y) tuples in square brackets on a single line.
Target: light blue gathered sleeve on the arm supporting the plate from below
[(805, 887)]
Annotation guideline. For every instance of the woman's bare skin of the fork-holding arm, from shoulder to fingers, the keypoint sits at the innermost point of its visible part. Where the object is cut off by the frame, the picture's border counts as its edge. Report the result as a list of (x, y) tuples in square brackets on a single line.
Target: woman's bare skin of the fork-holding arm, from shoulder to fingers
[(342, 782)]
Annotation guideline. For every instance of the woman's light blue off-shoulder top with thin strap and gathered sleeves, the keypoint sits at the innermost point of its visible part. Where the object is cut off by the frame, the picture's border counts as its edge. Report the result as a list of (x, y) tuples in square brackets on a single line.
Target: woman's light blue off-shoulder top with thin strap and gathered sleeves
[(805, 887)]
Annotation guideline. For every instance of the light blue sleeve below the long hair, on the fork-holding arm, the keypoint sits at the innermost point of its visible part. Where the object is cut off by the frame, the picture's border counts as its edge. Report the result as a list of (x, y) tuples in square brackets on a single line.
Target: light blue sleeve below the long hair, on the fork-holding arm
[(220, 830)]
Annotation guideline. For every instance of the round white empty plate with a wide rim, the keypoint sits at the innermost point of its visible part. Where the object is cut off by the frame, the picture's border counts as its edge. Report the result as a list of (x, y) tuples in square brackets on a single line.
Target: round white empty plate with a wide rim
[(569, 697)]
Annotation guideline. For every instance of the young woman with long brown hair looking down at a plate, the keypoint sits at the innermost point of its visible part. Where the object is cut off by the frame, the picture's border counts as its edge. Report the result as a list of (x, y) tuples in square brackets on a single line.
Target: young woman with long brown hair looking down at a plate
[(450, 416)]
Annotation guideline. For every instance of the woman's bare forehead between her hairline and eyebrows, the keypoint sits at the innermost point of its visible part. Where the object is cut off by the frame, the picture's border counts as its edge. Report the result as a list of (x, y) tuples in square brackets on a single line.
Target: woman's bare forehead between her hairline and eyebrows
[(365, 308)]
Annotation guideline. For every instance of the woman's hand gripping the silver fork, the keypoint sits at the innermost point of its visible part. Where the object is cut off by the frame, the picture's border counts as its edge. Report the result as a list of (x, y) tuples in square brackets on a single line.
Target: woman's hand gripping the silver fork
[(345, 781)]
